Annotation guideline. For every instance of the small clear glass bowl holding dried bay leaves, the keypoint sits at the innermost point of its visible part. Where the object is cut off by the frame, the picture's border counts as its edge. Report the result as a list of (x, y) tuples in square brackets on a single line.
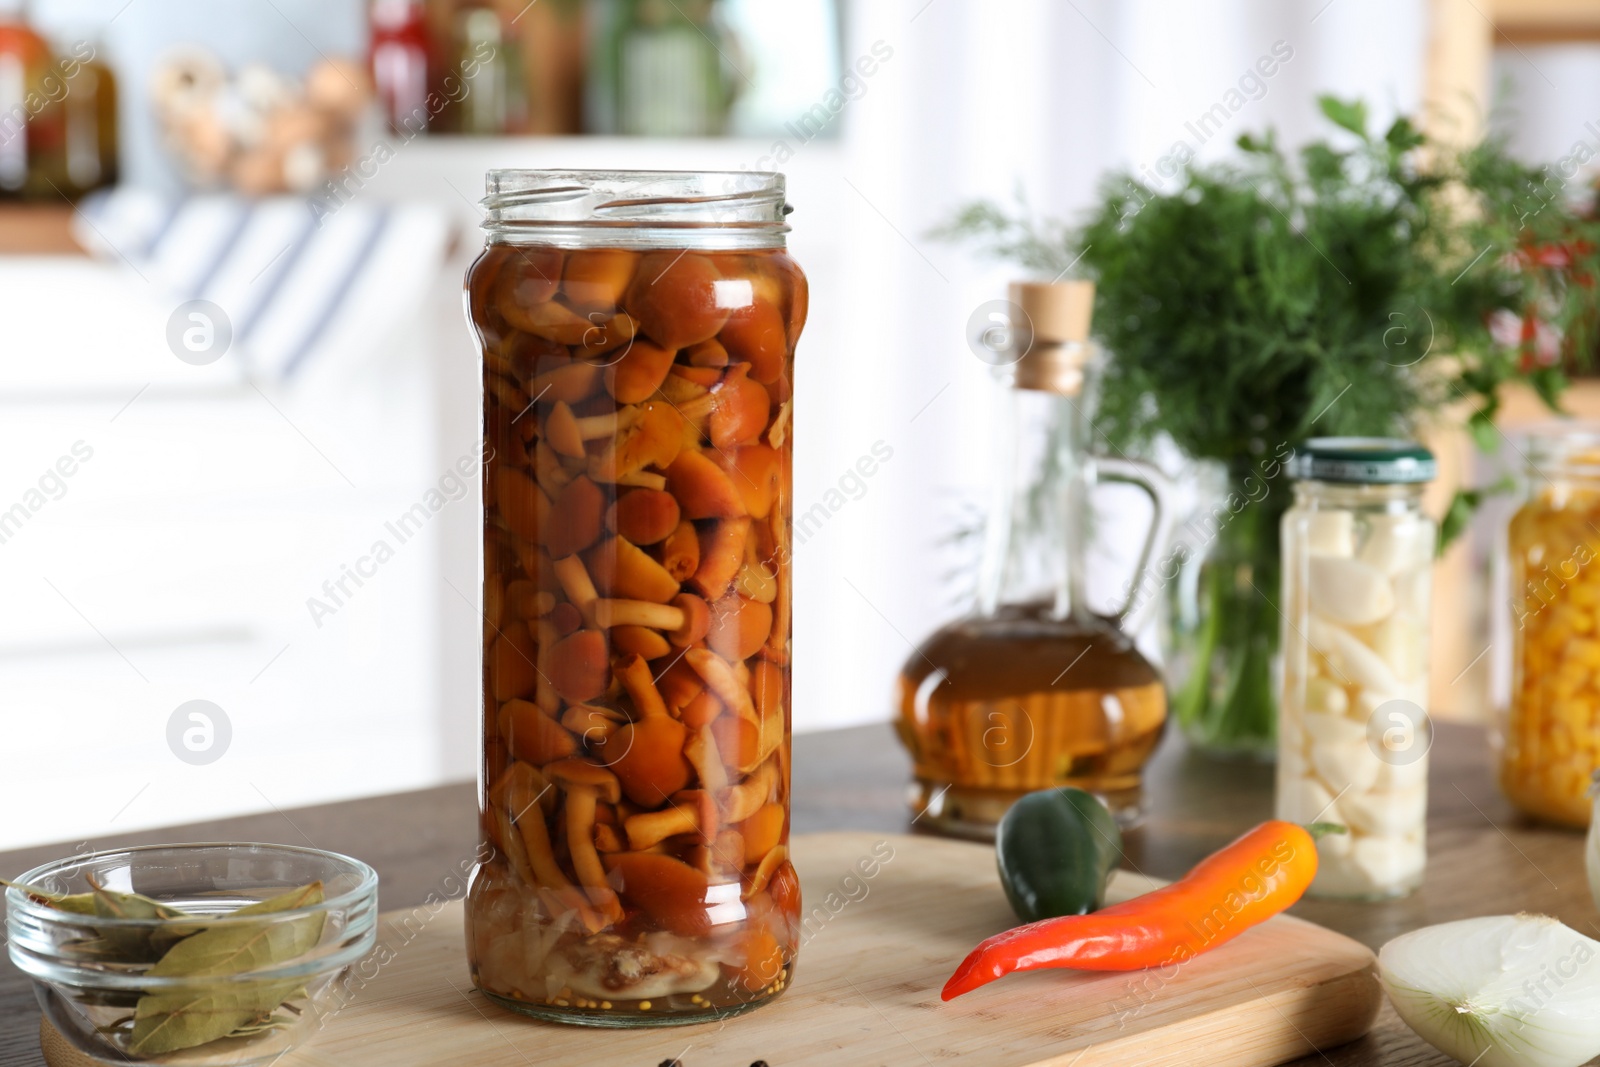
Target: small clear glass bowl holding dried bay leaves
[(206, 988)]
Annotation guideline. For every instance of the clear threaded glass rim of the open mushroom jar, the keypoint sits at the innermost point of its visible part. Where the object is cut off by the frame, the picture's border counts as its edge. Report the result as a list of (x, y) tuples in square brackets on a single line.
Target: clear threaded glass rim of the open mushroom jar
[(697, 209)]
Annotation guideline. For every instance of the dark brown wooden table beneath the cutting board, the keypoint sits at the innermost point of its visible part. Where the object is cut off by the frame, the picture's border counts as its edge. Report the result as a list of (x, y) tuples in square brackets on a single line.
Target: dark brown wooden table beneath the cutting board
[(1484, 860)]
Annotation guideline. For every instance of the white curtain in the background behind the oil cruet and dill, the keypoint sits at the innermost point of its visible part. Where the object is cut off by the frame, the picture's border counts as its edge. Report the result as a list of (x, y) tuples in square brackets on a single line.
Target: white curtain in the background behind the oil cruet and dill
[(977, 100)]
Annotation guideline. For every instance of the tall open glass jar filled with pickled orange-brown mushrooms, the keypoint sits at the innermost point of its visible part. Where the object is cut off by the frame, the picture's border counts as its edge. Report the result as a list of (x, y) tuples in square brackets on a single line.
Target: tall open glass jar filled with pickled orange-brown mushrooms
[(638, 335)]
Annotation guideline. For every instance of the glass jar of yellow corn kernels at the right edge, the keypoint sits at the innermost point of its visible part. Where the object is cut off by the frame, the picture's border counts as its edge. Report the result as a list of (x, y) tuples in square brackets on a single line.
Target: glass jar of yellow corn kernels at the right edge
[(1550, 735)]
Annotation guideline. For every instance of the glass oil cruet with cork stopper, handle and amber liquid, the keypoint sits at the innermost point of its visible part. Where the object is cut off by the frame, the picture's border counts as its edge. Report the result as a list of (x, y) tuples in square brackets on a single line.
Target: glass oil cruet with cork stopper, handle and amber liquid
[(1033, 689)]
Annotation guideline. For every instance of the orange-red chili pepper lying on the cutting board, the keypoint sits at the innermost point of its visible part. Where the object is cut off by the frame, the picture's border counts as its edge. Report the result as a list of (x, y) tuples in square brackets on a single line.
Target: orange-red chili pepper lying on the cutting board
[(1228, 893)]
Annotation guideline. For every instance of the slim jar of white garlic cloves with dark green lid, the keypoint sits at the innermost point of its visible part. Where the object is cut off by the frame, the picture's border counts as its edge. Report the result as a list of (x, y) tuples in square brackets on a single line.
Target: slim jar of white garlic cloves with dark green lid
[(1353, 724)]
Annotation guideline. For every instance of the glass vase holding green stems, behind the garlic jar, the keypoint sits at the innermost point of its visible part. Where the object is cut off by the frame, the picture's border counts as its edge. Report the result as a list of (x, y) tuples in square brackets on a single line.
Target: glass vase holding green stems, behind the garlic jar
[(1223, 615)]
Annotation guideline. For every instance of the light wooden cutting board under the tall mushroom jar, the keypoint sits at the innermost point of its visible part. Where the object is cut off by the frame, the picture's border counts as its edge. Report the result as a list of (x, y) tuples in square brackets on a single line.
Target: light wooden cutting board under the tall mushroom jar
[(866, 989)]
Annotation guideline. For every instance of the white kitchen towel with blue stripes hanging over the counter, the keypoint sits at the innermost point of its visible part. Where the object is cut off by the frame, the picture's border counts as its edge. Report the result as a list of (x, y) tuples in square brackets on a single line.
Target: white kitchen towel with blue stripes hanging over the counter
[(297, 287)]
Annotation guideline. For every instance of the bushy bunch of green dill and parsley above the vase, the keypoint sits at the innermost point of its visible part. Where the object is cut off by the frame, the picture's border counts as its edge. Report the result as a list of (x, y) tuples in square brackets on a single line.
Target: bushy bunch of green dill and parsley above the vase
[(1346, 290)]
